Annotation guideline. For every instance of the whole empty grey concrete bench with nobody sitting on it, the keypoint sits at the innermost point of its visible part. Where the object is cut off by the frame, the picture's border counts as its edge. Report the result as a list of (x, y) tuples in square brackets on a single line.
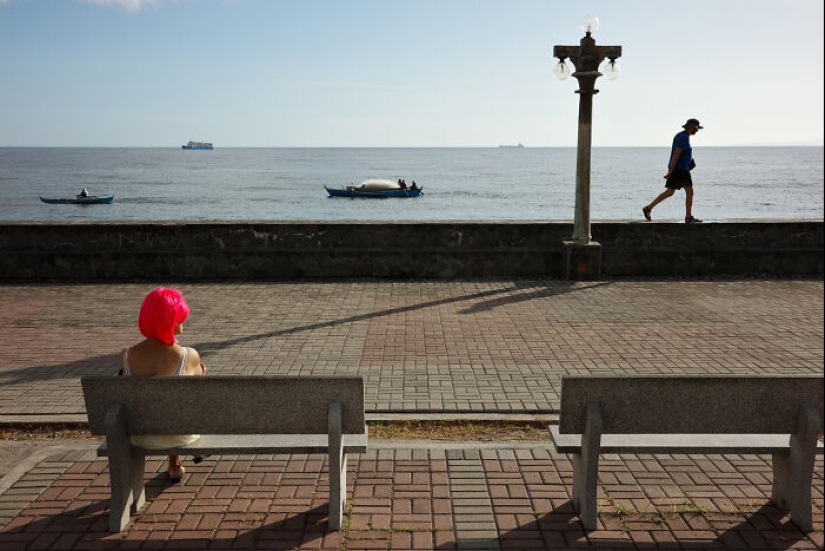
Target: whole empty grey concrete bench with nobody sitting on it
[(780, 415)]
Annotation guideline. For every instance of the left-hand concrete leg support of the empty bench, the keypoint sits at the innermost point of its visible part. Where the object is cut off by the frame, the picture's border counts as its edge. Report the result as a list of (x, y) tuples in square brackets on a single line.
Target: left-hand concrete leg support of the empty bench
[(586, 469)]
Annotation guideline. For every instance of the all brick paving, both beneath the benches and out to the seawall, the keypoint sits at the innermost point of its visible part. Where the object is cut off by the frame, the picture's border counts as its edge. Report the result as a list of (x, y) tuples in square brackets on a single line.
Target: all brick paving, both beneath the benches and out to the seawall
[(472, 346)]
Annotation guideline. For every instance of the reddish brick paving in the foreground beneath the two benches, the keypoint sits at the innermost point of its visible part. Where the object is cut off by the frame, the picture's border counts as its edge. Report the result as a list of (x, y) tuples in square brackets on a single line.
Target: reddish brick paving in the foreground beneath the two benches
[(436, 498)]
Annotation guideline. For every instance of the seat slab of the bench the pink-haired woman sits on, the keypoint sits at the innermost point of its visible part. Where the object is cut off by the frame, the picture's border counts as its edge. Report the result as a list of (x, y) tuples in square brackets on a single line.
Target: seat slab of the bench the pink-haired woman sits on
[(246, 444)]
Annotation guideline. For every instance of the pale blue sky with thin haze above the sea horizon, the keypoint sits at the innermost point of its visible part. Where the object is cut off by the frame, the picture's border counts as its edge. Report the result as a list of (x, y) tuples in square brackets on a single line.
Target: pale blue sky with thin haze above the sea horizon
[(403, 73)]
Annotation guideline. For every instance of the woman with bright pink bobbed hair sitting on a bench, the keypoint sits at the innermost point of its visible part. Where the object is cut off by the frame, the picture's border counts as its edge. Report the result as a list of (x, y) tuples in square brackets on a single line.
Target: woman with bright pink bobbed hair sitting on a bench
[(161, 318)]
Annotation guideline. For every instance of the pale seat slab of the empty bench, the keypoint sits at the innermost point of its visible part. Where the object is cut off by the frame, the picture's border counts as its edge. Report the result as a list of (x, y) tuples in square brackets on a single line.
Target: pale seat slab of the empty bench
[(680, 443)]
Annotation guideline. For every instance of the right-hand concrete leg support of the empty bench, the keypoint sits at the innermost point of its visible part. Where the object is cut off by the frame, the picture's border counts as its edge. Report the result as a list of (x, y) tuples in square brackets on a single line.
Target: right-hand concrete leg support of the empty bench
[(793, 471)]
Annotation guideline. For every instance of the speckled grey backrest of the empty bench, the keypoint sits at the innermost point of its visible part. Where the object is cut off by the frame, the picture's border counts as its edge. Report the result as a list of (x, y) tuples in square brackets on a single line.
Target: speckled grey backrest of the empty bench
[(700, 404)]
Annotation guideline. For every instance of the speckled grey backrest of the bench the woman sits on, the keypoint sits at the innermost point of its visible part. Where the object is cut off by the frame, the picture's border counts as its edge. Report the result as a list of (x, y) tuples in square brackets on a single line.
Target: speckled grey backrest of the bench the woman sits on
[(225, 404)]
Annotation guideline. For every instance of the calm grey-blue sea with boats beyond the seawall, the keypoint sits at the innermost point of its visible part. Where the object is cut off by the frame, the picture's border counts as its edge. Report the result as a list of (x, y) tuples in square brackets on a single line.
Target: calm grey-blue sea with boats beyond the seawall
[(459, 184)]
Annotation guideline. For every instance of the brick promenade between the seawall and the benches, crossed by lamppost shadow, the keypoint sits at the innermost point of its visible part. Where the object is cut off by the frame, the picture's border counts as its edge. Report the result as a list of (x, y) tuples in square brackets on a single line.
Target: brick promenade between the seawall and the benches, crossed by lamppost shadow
[(480, 346)]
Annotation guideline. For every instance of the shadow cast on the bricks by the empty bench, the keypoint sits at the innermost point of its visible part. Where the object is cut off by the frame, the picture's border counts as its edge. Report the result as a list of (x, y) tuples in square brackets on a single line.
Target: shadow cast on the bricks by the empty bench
[(767, 527)]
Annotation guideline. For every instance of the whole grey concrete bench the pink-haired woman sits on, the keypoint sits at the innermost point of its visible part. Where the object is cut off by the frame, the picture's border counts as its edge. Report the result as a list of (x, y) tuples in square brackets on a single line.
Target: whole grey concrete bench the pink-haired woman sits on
[(234, 415)]
